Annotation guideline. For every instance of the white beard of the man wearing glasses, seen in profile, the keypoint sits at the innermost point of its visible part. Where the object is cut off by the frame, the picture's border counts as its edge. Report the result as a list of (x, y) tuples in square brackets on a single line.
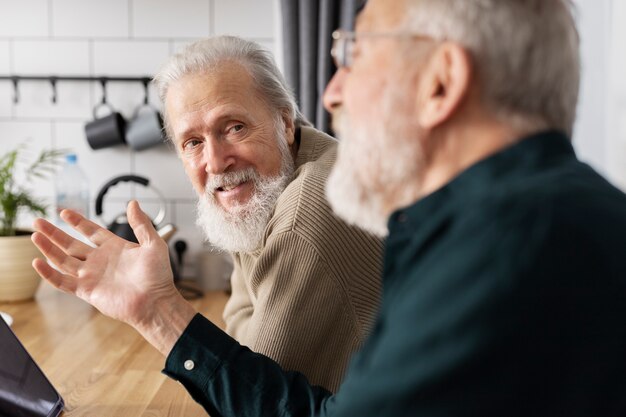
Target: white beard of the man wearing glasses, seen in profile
[(378, 165)]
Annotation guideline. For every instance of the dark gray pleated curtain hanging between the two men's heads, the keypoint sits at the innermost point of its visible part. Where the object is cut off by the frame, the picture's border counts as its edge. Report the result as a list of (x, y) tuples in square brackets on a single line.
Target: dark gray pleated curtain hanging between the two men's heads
[(307, 29)]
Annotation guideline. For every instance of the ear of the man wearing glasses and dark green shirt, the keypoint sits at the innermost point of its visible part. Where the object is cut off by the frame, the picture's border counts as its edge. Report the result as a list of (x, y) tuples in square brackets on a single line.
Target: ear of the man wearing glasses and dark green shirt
[(444, 84)]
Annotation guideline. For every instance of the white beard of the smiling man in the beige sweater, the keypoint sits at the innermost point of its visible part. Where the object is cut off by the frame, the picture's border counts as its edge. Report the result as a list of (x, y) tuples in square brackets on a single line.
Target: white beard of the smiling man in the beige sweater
[(241, 228)]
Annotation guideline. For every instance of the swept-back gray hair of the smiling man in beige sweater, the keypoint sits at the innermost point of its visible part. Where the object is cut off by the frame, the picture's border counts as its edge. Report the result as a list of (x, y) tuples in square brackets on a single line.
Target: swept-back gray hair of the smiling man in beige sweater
[(206, 55)]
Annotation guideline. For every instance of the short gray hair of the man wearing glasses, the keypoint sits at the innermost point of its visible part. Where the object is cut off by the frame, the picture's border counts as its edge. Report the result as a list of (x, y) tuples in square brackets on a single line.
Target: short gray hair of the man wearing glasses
[(525, 52)]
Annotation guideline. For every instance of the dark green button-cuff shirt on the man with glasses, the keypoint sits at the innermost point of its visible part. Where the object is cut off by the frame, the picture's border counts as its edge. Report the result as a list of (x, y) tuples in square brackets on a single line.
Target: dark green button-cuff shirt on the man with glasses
[(504, 295)]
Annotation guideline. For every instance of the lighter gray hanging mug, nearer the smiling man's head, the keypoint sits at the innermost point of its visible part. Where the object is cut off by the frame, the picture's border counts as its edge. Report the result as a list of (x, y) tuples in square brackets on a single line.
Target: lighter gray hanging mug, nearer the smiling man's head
[(145, 129)]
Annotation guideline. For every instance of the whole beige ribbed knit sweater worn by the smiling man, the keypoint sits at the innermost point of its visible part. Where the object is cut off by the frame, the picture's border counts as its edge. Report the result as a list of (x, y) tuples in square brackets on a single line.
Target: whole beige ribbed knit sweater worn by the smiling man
[(308, 297)]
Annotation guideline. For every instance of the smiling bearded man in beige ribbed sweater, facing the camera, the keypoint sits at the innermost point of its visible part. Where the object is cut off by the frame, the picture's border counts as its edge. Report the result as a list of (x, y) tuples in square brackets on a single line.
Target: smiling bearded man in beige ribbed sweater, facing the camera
[(305, 285)]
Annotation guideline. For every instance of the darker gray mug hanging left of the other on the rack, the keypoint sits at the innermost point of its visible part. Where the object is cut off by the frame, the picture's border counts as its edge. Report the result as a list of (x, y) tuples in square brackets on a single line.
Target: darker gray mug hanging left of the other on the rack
[(107, 131)]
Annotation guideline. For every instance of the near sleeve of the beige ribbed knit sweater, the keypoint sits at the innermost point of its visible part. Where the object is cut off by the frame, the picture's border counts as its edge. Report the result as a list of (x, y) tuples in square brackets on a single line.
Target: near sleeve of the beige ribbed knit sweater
[(302, 317)]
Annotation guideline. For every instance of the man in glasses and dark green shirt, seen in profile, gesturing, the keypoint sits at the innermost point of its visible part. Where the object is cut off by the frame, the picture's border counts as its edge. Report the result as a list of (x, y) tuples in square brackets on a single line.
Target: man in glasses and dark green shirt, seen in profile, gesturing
[(505, 275)]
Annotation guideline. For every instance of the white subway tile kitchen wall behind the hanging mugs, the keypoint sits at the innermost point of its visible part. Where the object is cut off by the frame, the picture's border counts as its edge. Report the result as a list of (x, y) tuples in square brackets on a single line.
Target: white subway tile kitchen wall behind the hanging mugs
[(114, 38)]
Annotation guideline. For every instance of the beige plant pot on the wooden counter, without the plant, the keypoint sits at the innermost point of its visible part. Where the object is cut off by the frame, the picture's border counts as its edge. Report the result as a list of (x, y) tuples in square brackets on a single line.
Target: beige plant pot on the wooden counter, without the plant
[(18, 279)]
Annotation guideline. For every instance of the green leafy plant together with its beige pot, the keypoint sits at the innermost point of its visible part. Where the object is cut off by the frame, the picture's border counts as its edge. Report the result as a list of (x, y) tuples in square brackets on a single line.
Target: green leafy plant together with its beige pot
[(18, 280)]
